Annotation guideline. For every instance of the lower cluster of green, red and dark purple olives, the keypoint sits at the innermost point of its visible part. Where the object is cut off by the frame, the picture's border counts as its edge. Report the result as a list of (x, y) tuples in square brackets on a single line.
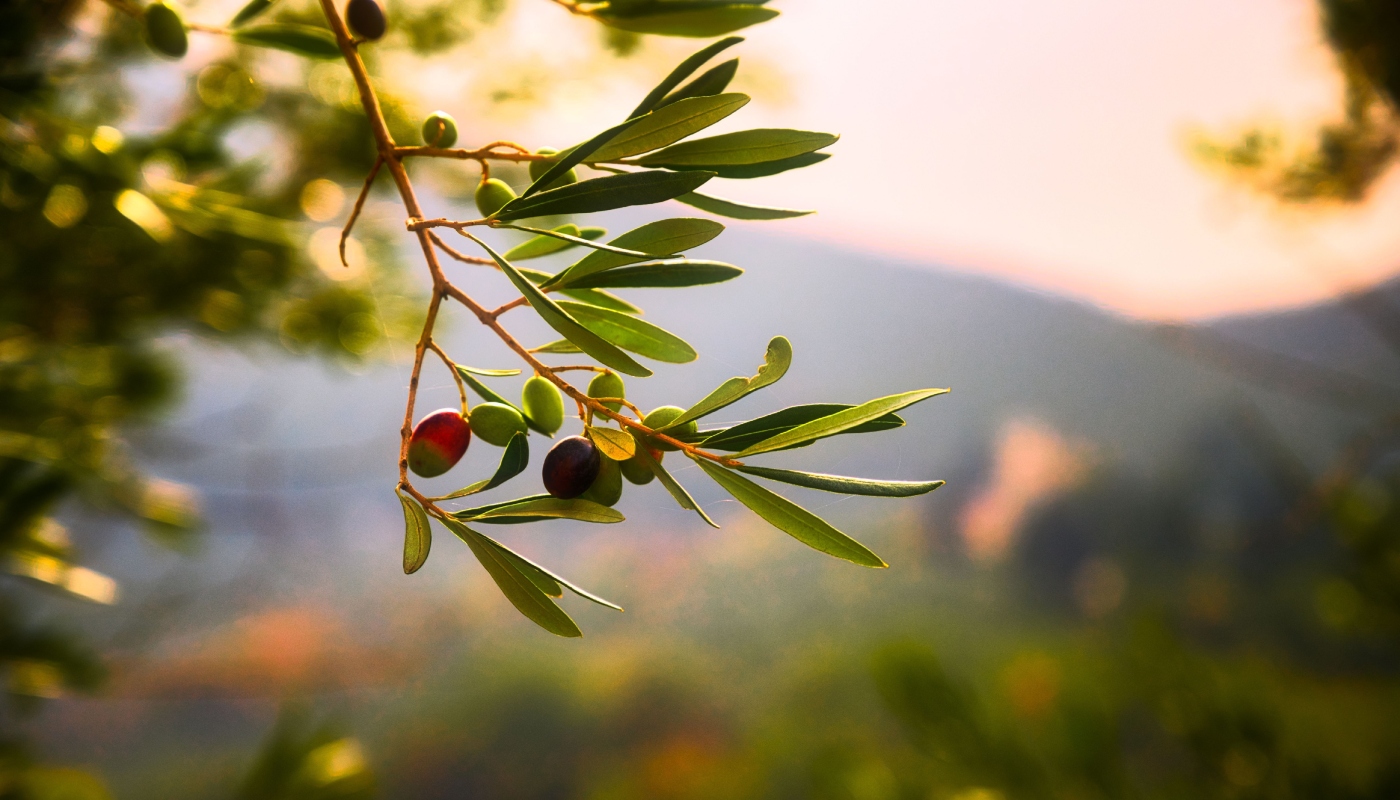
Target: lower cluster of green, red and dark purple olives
[(573, 469)]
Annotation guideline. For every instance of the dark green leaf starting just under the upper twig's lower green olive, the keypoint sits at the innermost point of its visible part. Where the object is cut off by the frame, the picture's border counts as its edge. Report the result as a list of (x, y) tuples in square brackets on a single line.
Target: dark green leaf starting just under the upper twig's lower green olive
[(605, 194)]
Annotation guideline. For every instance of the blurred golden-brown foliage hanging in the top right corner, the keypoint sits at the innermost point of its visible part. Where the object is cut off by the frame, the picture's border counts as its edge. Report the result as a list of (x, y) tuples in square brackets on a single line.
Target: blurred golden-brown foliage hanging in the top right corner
[(1345, 159)]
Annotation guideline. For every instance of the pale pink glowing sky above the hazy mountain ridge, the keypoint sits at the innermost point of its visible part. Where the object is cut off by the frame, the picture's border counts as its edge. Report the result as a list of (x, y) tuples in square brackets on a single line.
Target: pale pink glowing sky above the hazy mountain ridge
[(1041, 141)]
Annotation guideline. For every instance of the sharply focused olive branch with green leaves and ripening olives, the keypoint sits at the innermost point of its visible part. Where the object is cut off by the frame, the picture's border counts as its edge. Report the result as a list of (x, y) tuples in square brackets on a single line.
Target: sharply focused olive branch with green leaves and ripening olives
[(647, 159)]
